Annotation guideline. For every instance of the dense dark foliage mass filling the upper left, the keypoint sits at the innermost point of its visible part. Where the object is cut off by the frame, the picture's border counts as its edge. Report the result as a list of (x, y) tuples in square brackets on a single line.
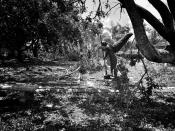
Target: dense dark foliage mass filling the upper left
[(30, 25)]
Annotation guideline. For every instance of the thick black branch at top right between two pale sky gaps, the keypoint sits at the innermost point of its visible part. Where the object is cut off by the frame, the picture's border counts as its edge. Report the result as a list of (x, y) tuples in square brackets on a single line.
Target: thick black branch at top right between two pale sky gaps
[(164, 13)]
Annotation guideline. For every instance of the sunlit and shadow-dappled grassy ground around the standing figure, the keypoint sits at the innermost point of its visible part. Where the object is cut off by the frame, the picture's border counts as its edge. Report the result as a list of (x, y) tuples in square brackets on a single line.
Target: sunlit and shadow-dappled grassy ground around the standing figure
[(93, 104)]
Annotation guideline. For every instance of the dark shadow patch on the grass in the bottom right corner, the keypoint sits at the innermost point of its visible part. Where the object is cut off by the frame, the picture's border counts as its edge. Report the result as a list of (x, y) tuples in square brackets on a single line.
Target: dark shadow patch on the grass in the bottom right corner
[(154, 114)]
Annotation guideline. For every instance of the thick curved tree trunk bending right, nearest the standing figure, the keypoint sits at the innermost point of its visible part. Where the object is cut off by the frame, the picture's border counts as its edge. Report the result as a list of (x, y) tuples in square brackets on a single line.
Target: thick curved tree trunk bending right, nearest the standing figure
[(145, 47)]
